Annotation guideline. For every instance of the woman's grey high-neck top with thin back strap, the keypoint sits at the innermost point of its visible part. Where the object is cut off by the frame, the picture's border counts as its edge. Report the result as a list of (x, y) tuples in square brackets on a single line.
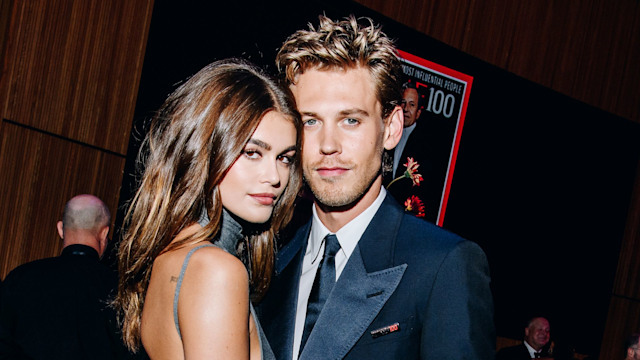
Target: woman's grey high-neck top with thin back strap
[(230, 234)]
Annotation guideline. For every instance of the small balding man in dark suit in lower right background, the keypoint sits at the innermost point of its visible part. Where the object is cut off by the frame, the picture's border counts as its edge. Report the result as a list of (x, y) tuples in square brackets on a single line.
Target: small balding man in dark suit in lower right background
[(536, 337)]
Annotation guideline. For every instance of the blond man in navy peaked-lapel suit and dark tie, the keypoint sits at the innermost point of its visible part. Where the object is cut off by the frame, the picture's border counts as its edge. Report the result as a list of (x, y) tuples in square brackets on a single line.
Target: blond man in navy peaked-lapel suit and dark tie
[(400, 287)]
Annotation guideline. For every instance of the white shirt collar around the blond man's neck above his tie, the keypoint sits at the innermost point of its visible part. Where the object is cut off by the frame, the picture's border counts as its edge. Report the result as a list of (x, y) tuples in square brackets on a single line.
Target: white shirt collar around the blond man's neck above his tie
[(349, 235)]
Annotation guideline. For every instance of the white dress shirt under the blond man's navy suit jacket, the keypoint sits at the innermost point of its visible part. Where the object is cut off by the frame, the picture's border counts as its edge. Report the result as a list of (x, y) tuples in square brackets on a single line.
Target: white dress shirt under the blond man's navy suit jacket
[(348, 237)]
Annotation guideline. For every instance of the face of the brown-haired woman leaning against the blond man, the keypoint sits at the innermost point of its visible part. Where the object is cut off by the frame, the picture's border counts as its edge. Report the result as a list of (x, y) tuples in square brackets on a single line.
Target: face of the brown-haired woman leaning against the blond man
[(259, 176)]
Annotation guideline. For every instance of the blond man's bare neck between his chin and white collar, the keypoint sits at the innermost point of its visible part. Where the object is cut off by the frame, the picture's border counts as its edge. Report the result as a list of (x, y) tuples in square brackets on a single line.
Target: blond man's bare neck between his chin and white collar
[(335, 218)]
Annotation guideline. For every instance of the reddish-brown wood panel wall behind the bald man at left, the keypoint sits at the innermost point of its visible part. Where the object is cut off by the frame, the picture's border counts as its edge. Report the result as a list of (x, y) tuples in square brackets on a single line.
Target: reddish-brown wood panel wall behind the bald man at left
[(68, 87)]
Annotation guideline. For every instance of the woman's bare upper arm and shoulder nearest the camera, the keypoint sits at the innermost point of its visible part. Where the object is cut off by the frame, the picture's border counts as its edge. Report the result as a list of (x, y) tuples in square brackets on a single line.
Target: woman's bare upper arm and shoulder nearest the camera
[(213, 308)]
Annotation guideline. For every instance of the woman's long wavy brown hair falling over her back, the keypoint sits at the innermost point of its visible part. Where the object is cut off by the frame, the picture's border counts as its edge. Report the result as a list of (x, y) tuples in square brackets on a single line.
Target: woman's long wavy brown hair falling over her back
[(195, 138)]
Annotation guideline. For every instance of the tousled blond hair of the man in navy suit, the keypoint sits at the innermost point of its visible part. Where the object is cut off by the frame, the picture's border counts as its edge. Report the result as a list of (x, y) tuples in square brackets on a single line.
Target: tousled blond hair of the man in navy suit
[(345, 44)]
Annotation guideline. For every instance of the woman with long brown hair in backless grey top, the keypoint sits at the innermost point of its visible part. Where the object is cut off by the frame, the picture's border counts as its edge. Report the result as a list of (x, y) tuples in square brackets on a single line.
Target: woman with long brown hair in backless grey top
[(221, 168)]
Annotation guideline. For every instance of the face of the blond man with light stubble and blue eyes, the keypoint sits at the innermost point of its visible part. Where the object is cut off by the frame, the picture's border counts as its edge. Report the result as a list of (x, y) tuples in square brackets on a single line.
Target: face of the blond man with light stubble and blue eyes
[(343, 133)]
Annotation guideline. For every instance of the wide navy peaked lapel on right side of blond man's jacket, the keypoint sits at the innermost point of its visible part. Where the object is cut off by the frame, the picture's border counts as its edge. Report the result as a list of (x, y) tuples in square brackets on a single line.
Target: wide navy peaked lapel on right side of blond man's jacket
[(358, 296)]
